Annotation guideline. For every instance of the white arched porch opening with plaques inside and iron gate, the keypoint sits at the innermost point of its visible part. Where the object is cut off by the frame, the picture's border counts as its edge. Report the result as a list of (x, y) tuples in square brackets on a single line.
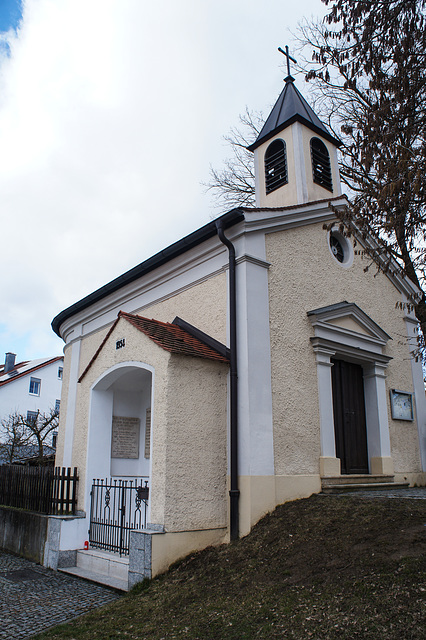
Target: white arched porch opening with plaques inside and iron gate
[(119, 454)]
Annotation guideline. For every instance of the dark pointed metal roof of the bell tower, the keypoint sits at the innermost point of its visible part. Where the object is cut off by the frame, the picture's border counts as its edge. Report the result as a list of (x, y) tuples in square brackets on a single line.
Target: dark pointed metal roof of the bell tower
[(289, 107)]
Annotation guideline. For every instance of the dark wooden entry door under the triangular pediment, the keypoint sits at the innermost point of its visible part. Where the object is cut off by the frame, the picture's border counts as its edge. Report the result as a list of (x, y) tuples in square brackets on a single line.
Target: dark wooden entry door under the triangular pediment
[(349, 416)]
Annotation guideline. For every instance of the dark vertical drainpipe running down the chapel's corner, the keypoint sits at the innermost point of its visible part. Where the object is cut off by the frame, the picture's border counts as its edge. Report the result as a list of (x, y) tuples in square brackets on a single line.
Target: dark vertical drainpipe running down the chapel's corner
[(234, 492)]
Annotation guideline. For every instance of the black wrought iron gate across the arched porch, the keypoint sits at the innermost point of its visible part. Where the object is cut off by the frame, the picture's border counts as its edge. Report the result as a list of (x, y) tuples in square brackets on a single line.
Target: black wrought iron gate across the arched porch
[(117, 507)]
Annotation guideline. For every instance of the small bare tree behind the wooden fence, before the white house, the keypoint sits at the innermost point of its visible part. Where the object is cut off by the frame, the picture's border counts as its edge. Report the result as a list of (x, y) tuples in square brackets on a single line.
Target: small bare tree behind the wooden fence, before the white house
[(23, 437)]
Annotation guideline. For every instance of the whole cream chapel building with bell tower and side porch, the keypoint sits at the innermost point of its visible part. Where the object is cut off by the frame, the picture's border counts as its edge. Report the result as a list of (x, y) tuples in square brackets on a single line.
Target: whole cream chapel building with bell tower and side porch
[(254, 361)]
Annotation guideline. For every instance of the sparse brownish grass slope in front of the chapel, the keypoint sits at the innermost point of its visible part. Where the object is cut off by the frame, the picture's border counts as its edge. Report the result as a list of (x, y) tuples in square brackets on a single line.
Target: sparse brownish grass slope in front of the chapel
[(327, 567)]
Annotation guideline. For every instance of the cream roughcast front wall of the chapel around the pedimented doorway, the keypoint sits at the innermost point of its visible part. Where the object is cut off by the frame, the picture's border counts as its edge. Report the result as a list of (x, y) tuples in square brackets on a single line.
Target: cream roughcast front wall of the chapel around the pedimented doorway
[(304, 276)]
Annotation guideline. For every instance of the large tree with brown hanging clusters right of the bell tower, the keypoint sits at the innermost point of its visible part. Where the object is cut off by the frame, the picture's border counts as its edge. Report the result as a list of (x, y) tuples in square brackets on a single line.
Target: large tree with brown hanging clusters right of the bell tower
[(368, 75)]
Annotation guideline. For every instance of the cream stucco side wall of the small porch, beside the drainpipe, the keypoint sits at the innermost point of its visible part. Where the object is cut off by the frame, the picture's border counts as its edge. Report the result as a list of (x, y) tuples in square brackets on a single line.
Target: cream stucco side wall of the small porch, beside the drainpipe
[(196, 445)]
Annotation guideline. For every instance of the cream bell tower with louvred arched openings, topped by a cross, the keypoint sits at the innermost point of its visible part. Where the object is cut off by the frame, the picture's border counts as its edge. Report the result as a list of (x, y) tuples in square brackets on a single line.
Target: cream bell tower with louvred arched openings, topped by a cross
[(295, 156)]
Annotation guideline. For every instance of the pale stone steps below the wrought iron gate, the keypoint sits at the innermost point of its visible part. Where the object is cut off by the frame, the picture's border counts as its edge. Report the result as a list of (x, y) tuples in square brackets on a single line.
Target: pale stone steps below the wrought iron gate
[(102, 567)]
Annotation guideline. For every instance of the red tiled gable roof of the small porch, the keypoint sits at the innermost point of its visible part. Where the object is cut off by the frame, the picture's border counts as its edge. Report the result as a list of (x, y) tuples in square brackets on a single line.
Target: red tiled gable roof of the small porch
[(170, 337)]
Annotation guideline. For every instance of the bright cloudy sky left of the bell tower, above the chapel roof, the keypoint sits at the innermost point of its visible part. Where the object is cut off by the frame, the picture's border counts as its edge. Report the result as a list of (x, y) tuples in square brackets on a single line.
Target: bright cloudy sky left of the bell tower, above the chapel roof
[(111, 114)]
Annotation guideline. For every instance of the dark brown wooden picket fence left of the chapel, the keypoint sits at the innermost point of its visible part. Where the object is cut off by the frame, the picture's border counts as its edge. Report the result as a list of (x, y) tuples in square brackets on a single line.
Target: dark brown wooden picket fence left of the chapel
[(48, 490)]
